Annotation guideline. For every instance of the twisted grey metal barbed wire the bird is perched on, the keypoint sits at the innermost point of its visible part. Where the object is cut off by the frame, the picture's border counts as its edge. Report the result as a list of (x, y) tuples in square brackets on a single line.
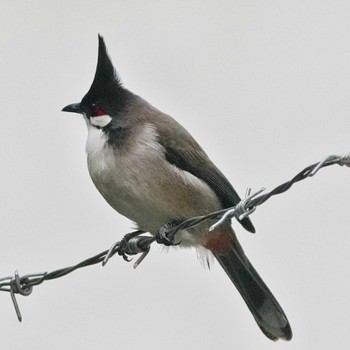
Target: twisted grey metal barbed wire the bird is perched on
[(139, 242)]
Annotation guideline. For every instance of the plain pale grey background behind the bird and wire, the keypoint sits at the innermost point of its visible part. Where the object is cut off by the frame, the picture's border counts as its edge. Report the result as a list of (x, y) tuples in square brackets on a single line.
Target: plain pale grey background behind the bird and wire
[(264, 86)]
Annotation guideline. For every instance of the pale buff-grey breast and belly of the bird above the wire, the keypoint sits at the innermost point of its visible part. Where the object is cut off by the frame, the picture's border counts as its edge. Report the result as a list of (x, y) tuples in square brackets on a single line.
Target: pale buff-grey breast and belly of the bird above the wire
[(143, 186)]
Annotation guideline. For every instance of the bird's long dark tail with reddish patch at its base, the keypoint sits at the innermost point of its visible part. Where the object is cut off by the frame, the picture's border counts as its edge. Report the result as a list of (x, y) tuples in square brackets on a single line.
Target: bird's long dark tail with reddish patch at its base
[(262, 304)]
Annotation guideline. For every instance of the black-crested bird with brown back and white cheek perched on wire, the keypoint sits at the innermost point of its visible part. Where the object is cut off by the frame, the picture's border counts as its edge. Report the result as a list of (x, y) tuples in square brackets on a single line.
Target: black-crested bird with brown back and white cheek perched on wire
[(151, 170)]
